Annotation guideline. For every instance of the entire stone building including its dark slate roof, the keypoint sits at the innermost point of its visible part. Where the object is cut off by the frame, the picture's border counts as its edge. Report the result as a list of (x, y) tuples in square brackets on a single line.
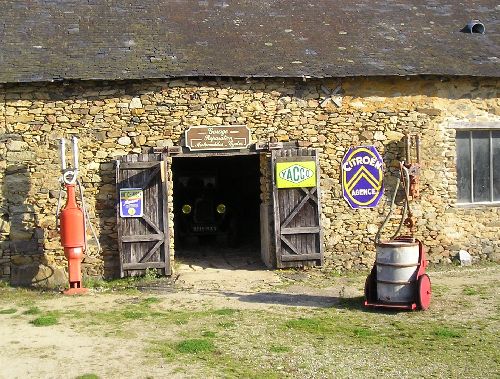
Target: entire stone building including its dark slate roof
[(311, 77)]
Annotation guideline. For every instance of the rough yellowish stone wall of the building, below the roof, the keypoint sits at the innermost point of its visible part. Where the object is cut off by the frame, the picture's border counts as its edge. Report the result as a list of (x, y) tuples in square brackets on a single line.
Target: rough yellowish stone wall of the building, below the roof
[(117, 118)]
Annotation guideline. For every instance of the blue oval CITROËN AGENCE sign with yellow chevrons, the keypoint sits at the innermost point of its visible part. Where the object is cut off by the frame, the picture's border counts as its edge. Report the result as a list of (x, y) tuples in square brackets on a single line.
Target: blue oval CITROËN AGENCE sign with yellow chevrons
[(362, 177)]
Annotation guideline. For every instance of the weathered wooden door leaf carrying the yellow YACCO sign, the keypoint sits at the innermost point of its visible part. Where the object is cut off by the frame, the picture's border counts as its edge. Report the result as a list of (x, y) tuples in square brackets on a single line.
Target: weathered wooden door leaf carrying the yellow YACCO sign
[(297, 213)]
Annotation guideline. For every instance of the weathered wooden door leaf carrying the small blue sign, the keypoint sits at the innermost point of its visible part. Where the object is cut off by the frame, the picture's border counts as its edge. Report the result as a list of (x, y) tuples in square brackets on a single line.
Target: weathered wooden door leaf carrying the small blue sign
[(144, 241)]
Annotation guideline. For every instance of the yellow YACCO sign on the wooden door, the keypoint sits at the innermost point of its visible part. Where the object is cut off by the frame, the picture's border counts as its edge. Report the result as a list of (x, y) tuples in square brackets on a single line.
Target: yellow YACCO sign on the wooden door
[(296, 174)]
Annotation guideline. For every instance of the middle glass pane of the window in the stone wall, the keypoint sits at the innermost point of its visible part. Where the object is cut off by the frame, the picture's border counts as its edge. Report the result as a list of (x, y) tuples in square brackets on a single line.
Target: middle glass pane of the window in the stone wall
[(481, 165)]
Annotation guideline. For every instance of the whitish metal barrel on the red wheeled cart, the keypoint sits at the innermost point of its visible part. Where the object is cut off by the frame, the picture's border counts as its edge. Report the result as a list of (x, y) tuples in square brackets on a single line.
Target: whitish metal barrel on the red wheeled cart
[(397, 266)]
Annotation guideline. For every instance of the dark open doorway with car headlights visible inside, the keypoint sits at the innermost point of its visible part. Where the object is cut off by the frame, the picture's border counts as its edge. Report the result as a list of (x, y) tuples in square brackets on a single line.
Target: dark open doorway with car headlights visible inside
[(216, 205)]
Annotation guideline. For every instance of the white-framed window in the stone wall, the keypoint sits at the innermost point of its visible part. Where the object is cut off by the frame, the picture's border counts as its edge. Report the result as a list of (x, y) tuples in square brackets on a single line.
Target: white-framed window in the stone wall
[(478, 166)]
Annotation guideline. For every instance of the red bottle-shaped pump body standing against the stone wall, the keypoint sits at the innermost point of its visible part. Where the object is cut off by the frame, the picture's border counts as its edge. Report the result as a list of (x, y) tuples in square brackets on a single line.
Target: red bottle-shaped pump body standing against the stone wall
[(73, 240)]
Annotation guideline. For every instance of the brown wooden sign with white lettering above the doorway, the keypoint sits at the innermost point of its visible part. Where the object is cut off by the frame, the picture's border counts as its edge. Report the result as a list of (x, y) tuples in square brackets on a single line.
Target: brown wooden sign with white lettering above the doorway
[(223, 137)]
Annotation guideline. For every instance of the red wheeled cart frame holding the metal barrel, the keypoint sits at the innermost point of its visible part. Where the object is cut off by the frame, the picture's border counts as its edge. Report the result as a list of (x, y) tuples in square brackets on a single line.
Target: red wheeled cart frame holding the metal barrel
[(422, 291)]
